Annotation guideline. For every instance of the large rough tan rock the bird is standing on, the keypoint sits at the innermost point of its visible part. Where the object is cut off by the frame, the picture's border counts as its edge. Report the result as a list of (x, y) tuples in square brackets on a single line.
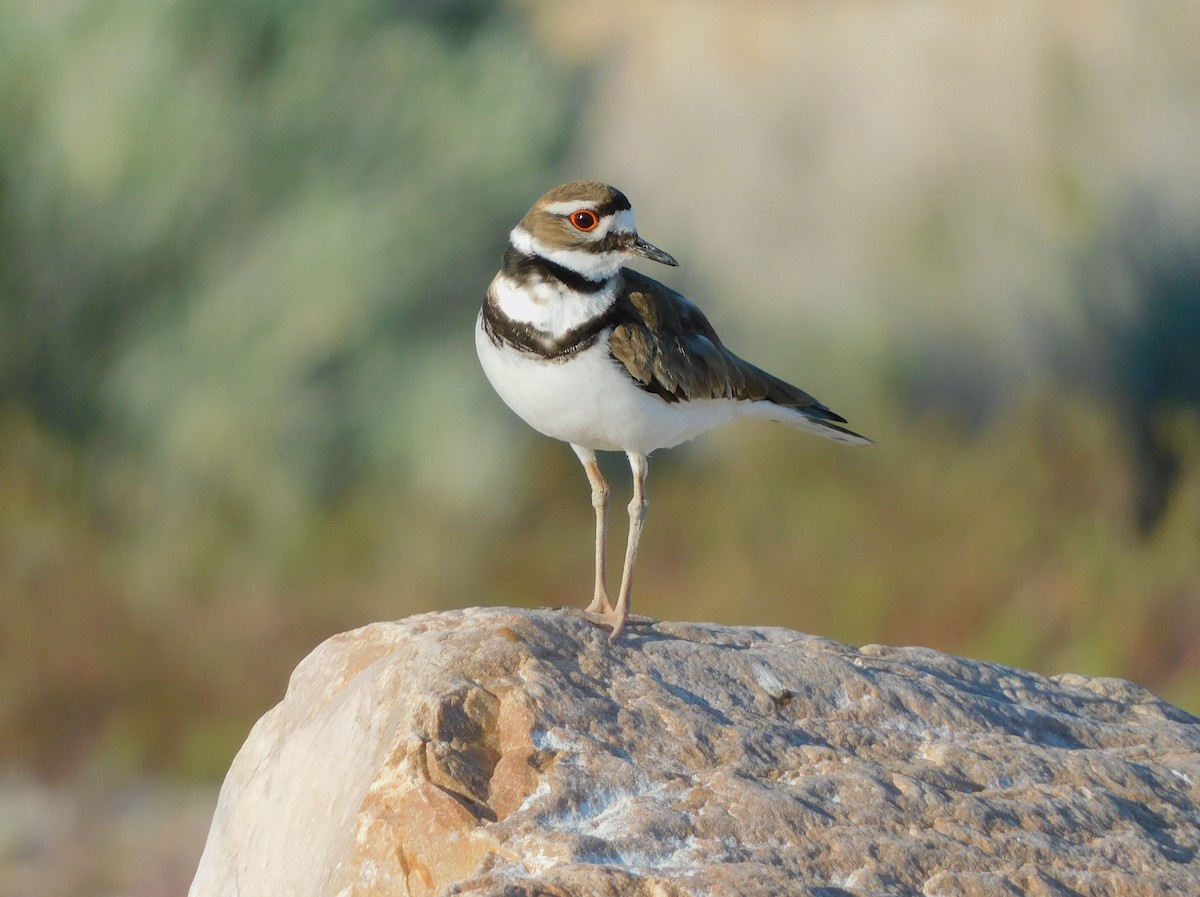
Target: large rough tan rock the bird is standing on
[(499, 752)]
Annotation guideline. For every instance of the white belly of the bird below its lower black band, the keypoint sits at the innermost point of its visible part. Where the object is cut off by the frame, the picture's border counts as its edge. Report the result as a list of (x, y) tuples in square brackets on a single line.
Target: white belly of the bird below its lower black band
[(590, 400)]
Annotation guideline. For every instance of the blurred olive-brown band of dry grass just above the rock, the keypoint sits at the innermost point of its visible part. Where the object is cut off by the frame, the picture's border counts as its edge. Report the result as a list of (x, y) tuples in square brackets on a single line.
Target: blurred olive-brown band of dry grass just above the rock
[(1016, 544)]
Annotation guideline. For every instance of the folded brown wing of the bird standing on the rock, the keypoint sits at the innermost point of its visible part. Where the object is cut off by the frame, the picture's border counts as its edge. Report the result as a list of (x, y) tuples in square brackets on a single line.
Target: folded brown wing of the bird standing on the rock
[(669, 347)]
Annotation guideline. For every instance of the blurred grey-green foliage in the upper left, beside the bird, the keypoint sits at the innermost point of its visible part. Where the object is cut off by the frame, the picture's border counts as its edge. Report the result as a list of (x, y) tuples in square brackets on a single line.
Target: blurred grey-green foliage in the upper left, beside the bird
[(236, 236)]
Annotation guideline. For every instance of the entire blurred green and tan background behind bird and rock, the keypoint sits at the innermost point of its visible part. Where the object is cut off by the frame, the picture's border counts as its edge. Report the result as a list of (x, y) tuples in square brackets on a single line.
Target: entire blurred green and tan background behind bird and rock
[(242, 250)]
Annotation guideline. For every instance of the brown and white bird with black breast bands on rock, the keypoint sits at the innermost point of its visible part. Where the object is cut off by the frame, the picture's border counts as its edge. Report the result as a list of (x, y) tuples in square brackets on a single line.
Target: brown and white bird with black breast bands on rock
[(602, 357)]
